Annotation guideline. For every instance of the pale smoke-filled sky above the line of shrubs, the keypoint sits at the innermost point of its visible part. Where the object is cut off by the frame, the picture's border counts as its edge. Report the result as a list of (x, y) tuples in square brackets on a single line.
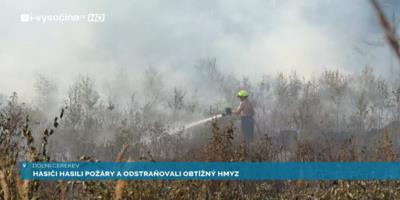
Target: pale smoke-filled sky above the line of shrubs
[(248, 38)]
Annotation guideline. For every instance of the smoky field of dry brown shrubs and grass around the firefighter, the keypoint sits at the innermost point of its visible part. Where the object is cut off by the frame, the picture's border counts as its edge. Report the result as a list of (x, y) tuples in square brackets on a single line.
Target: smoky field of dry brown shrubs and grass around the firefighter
[(336, 117)]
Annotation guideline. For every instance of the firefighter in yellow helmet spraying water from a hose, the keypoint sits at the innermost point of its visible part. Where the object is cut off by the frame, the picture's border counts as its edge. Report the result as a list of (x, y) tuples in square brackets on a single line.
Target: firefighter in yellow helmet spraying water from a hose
[(246, 113)]
